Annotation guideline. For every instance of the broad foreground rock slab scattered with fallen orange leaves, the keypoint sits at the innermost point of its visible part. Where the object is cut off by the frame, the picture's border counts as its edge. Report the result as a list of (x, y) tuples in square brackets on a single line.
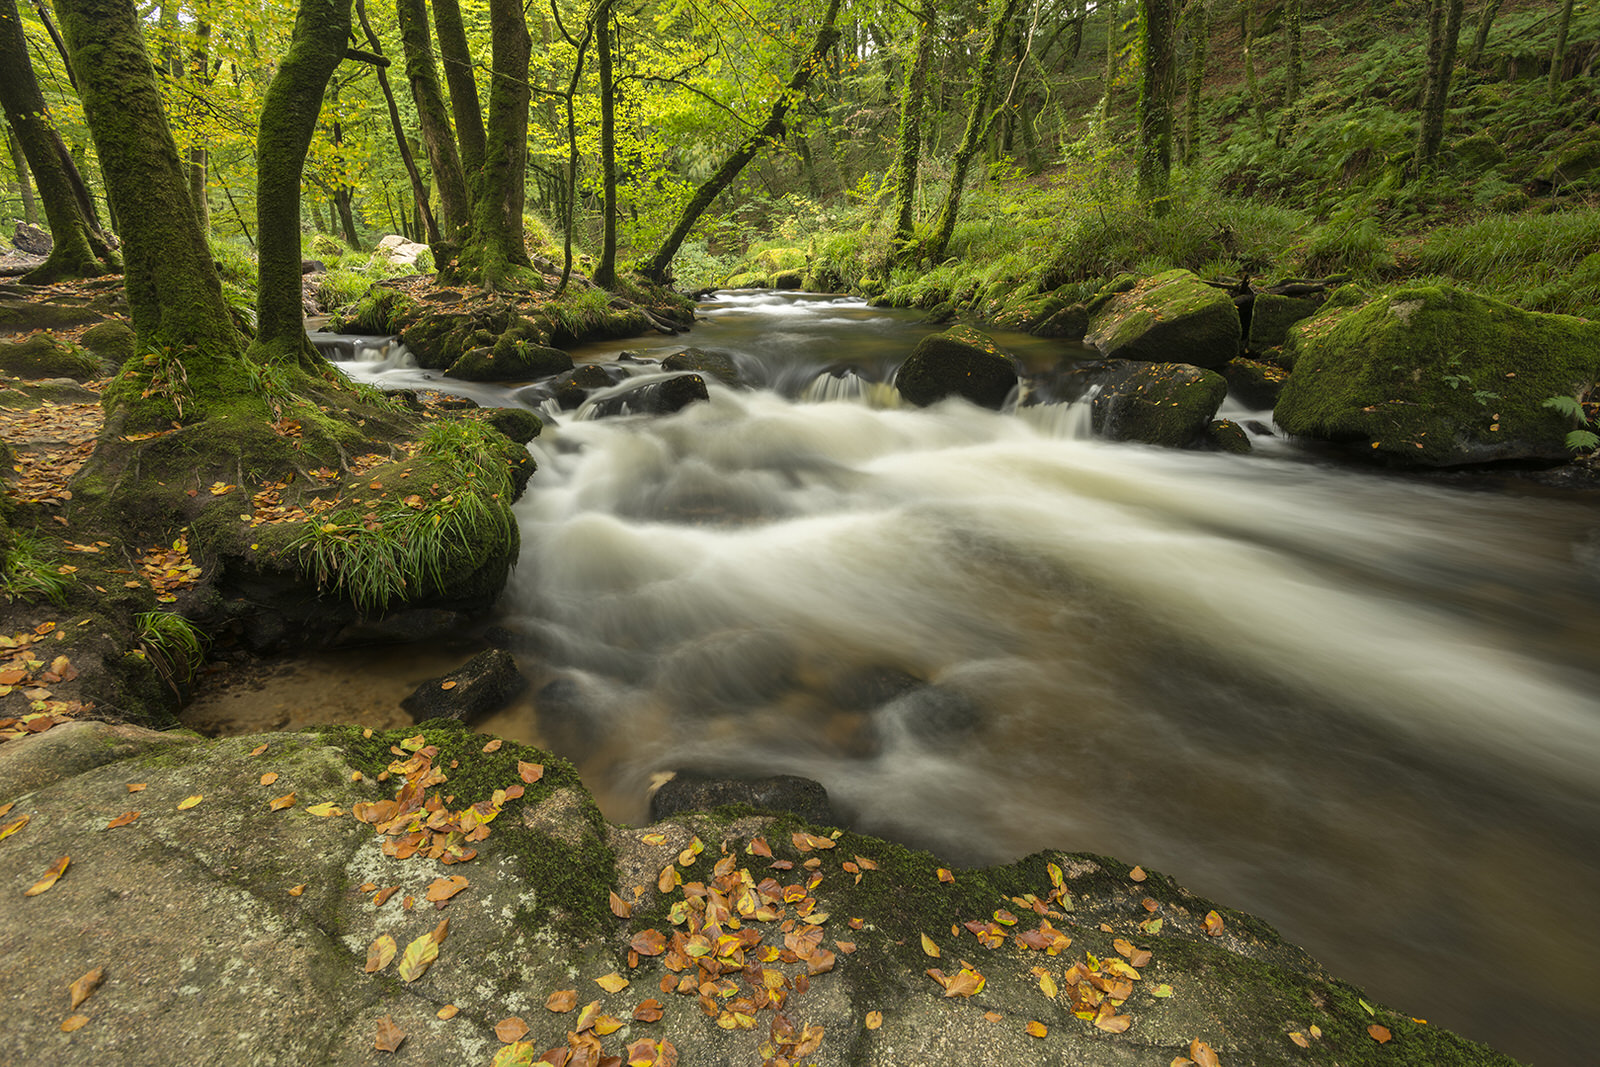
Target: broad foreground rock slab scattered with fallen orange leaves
[(231, 933)]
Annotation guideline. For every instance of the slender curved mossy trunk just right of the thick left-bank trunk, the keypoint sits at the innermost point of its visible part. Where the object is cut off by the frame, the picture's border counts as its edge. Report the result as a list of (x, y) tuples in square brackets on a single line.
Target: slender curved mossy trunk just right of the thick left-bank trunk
[(289, 119)]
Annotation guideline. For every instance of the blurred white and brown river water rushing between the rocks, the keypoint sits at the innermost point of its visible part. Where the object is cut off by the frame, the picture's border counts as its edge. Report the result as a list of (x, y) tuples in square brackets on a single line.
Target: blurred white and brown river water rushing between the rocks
[(1361, 706)]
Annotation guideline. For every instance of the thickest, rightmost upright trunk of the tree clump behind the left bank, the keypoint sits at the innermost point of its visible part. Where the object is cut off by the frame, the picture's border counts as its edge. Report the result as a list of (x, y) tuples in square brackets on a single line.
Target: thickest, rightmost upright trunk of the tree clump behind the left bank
[(494, 247)]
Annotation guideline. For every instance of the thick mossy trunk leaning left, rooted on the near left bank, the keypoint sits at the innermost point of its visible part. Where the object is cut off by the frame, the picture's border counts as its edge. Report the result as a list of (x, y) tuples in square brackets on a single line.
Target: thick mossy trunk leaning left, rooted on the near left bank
[(175, 297)]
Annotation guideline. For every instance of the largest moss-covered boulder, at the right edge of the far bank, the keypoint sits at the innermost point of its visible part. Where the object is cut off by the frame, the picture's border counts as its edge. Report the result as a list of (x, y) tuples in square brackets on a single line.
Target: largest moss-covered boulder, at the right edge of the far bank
[(1438, 377)]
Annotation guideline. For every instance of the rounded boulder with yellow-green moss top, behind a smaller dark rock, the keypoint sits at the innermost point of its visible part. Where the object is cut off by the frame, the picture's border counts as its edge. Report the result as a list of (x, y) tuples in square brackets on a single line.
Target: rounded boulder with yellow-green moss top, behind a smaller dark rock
[(1169, 318)]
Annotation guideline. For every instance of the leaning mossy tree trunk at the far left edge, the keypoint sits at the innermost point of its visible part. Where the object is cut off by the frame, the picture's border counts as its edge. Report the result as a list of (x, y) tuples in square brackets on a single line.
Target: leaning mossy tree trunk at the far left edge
[(79, 250)]
